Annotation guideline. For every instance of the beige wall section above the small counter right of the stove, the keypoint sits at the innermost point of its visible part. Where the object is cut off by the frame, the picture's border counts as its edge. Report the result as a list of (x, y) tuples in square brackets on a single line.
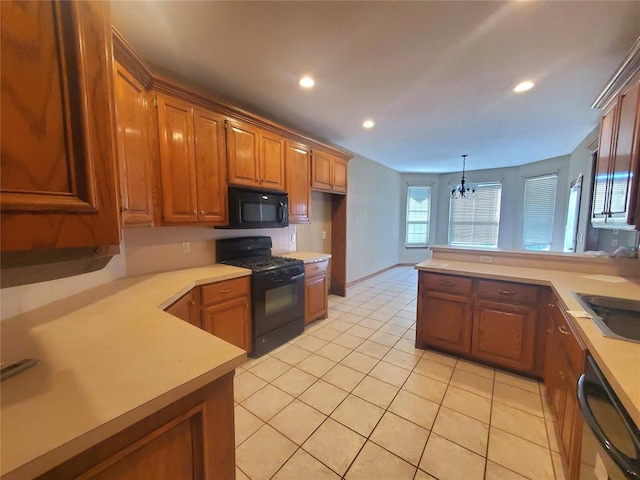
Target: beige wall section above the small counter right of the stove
[(310, 234)]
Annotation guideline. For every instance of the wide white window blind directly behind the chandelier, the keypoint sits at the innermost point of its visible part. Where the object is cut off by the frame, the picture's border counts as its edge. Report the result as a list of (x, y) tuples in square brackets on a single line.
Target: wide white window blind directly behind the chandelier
[(474, 222)]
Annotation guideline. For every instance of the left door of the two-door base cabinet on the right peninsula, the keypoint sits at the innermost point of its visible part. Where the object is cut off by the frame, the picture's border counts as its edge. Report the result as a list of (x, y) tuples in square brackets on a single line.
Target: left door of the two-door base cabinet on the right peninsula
[(444, 321)]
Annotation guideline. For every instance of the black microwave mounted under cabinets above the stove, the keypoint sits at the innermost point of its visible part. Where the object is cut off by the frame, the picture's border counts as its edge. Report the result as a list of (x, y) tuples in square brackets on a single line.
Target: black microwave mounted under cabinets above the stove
[(253, 208)]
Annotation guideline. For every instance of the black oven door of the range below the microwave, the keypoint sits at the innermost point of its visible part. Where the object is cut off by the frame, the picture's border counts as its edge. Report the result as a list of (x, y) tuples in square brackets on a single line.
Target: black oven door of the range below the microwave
[(276, 302)]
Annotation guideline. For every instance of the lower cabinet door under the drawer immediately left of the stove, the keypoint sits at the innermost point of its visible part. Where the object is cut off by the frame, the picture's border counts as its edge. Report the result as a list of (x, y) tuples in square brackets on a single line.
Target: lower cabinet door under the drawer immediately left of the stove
[(229, 321)]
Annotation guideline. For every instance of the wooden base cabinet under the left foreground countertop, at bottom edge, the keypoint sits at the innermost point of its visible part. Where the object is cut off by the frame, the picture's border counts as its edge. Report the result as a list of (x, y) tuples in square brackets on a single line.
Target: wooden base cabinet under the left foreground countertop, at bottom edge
[(191, 438)]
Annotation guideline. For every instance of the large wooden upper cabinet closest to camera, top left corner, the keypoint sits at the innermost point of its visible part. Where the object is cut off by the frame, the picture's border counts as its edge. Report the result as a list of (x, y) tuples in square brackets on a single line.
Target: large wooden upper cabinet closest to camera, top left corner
[(58, 184)]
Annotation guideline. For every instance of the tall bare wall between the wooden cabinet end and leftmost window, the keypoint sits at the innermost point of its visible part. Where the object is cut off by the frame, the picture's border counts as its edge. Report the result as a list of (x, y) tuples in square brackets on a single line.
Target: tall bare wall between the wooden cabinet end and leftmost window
[(373, 216)]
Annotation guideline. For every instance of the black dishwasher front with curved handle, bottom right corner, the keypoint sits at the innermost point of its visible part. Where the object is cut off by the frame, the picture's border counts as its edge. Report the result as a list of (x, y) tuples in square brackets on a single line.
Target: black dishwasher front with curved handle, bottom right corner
[(610, 440)]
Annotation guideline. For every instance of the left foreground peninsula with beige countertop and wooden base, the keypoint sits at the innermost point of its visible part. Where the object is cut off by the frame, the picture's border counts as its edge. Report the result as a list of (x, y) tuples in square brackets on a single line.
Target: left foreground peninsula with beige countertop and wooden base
[(116, 371)]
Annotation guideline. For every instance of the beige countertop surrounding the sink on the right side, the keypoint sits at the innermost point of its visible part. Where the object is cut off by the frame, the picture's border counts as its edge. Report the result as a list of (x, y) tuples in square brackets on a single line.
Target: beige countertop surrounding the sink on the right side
[(618, 359)]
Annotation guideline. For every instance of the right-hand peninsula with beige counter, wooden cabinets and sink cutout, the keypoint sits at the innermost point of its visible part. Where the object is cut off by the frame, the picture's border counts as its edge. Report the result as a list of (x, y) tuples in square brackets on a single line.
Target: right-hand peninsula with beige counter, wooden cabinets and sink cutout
[(517, 310)]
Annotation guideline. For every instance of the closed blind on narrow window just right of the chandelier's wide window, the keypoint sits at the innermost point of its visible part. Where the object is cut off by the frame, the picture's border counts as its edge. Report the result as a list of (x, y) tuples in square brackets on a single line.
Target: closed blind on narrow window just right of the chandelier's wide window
[(539, 207)]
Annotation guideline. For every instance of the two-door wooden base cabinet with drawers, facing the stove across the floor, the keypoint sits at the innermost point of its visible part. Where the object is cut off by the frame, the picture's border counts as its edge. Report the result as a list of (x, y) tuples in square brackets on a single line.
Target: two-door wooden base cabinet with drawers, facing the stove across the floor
[(485, 320)]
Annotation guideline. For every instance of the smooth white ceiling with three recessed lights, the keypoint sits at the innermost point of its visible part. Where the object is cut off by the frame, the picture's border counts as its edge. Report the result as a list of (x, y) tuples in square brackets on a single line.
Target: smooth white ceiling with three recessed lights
[(436, 76)]
